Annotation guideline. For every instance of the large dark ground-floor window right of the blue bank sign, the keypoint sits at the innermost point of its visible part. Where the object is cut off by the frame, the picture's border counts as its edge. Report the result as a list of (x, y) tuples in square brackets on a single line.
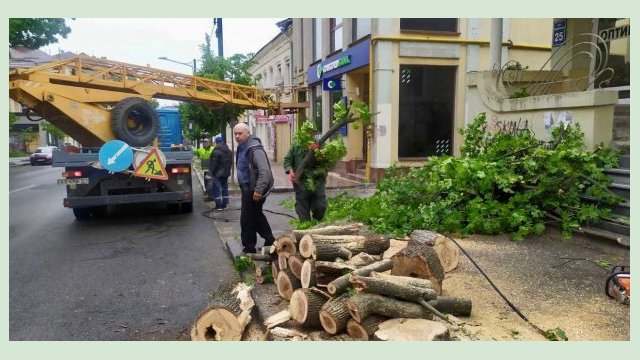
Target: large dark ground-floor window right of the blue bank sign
[(426, 110)]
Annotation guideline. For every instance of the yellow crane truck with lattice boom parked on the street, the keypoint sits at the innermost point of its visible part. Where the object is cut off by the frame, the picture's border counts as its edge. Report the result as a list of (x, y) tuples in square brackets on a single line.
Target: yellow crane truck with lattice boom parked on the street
[(96, 101)]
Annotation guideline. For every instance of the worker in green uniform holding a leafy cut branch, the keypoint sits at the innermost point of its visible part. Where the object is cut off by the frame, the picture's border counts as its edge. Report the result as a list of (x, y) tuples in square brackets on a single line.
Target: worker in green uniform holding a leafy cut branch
[(311, 200)]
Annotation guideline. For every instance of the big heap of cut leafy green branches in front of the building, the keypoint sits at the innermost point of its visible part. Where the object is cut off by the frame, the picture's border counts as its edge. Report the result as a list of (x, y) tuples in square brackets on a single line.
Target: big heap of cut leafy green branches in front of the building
[(502, 184)]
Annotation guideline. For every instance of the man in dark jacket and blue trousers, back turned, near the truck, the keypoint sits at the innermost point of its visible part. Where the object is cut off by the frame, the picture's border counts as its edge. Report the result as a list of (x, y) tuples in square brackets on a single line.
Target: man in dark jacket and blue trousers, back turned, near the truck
[(220, 169)]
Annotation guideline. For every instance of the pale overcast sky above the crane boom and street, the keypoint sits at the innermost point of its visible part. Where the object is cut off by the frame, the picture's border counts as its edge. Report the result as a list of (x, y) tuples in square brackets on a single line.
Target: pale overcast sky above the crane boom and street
[(143, 41)]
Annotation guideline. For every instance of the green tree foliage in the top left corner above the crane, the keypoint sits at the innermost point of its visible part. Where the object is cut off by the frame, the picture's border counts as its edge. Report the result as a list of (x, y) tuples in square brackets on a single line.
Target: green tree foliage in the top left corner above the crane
[(34, 33)]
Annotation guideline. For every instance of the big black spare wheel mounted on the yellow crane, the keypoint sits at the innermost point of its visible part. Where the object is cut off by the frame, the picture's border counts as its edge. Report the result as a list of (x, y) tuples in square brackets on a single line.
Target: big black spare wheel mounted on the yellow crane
[(134, 121)]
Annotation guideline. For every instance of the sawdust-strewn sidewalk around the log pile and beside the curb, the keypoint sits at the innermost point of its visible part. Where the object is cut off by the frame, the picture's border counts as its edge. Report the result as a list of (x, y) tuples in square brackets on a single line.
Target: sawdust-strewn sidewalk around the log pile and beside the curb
[(554, 282)]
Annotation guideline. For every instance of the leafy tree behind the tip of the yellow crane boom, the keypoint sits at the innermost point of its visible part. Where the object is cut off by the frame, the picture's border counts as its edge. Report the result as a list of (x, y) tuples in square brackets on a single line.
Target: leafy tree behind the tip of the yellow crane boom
[(208, 120)]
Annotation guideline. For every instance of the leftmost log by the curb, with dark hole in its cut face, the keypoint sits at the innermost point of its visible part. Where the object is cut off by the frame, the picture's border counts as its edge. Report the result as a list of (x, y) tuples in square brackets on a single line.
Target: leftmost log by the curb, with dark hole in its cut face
[(227, 315)]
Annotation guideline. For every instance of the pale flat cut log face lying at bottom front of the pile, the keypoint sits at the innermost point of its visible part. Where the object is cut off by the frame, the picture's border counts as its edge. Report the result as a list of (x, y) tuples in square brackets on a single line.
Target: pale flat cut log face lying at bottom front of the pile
[(411, 330)]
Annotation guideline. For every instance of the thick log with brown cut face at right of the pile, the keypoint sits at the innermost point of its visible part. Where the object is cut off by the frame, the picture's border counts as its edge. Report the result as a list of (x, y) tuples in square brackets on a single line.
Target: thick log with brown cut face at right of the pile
[(419, 261)]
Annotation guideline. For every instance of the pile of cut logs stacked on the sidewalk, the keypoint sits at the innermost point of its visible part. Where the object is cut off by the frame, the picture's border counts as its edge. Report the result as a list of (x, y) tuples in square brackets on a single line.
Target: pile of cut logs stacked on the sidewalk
[(344, 278)]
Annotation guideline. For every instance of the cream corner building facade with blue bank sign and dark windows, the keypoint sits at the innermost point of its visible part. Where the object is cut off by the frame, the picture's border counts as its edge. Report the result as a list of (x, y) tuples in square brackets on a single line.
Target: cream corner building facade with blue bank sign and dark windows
[(411, 72)]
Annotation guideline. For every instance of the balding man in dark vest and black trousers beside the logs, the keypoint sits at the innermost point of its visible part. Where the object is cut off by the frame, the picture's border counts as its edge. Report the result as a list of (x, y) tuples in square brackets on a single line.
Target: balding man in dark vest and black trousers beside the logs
[(256, 181)]
